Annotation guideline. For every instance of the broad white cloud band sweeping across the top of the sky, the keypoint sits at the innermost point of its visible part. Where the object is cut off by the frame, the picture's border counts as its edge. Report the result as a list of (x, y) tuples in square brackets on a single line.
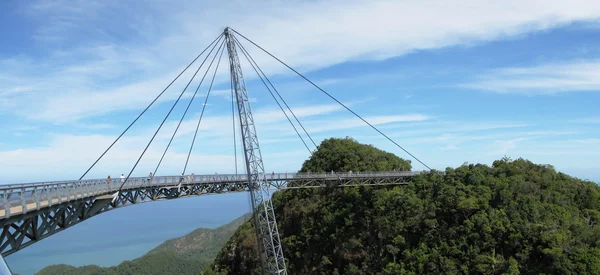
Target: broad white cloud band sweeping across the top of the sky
[(97, 75)]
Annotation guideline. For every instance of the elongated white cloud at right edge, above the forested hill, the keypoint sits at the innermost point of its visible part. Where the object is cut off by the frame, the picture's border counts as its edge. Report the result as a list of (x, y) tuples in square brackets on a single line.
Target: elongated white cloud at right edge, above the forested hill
[(542, 79)]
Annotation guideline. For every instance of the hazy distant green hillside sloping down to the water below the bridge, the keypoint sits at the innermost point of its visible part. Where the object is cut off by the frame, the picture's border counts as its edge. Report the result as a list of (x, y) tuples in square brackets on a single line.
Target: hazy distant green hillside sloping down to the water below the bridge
[(185, 255)]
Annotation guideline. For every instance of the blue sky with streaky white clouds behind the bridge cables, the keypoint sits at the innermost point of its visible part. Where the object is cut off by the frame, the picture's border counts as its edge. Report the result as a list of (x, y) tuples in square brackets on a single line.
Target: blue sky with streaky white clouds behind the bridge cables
[(452, 82)]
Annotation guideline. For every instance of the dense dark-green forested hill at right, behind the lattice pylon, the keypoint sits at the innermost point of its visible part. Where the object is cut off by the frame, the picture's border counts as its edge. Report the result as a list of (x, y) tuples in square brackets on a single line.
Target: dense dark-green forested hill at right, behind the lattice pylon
[(514, 217)]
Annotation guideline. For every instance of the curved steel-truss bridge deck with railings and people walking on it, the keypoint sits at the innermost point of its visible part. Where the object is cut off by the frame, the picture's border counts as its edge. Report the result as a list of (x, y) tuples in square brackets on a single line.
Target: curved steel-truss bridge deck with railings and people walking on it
[(32, 211)]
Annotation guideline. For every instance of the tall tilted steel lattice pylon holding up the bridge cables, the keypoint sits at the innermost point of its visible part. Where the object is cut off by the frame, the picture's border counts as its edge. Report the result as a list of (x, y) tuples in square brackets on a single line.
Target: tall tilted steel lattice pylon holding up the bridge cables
[(264, 217)]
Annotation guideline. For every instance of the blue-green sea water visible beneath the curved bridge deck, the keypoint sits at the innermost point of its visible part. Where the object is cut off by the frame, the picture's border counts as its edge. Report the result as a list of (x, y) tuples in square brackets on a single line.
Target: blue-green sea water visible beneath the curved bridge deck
[(129, 232)]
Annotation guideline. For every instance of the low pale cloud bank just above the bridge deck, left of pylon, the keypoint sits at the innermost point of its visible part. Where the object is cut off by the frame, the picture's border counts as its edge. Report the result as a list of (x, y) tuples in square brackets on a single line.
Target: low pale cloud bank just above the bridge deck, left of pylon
[(68, 156)]
